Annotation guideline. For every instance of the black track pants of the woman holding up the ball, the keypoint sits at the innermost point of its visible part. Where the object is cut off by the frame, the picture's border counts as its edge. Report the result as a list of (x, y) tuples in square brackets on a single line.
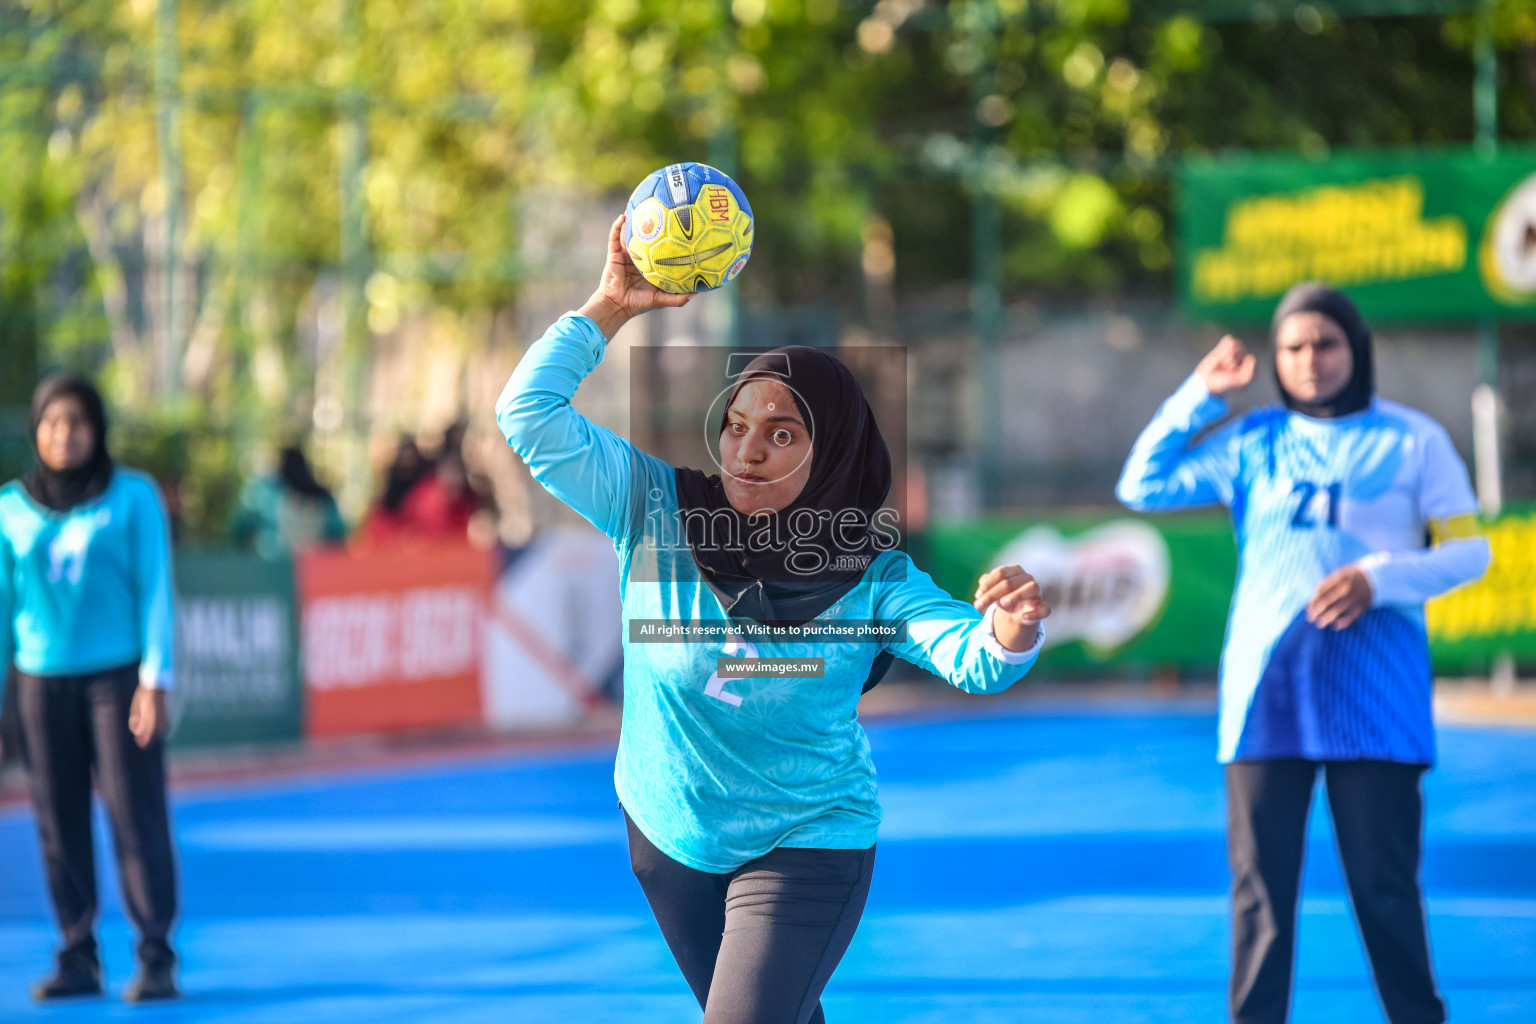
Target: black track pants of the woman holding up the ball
[(758, 945)]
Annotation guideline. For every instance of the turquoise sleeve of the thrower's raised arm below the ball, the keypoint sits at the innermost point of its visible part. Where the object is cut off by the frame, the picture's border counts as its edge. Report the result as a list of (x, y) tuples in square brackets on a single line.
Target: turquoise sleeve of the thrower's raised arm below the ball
[(589, 467)]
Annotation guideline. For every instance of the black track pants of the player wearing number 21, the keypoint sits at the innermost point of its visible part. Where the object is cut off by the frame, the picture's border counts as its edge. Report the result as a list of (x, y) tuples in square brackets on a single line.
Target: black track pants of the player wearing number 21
[(1379, 819)]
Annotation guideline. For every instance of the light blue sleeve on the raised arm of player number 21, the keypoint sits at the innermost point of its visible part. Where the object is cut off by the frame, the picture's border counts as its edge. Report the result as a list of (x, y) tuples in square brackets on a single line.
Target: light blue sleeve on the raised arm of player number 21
[(1167, 472)]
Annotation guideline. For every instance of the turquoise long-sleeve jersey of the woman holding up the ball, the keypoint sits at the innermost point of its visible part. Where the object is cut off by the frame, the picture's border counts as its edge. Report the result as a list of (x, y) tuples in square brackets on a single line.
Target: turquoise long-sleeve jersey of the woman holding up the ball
[(718, 773)]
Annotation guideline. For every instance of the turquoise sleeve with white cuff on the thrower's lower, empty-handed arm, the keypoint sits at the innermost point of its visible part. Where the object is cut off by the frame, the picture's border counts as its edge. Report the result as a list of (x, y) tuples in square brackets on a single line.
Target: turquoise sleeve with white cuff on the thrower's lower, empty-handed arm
[(945, 636)]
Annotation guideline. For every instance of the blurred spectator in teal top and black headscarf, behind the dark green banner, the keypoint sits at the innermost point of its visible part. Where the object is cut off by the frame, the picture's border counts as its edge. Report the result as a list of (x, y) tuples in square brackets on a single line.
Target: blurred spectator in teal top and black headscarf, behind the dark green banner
[(288, 512)]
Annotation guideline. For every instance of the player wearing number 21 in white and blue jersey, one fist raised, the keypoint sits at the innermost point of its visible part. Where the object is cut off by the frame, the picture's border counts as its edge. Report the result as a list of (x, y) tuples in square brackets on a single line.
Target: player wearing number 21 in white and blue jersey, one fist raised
[(1334, 495)]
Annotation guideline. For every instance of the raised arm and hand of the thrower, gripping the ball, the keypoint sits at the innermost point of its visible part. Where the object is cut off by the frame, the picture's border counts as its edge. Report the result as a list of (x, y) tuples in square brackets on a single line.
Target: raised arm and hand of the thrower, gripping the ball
[(583, 464)]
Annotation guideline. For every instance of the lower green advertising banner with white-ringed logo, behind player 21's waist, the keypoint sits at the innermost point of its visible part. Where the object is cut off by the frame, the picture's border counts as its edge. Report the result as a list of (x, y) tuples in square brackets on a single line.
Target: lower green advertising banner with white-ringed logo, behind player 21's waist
[(1133, 595)]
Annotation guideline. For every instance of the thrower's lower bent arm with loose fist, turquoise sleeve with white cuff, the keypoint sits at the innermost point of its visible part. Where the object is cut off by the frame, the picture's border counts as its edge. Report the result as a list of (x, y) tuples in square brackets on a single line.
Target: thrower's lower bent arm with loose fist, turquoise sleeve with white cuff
[(952, 638)]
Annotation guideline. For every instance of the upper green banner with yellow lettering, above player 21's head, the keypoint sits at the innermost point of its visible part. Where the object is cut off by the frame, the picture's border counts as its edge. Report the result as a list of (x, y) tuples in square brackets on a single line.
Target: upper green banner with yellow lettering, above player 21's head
[(1425, 236)]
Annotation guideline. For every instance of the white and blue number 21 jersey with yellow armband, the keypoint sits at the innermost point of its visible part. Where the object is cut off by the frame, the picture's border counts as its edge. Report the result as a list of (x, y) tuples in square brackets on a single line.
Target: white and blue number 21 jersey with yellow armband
[(1308, 498)]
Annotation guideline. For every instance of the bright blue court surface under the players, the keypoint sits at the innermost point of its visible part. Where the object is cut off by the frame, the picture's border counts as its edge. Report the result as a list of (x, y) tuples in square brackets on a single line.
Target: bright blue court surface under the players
[(1058, 865)]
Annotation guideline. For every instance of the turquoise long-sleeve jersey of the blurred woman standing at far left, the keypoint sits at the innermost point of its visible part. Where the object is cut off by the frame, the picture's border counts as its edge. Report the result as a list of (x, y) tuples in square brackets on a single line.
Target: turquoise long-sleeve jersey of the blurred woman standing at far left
[(90, 587)]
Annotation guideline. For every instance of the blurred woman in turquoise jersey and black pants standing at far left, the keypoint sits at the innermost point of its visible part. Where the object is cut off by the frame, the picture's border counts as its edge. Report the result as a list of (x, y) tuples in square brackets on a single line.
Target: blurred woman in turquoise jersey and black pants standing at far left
[(87, 623)]
